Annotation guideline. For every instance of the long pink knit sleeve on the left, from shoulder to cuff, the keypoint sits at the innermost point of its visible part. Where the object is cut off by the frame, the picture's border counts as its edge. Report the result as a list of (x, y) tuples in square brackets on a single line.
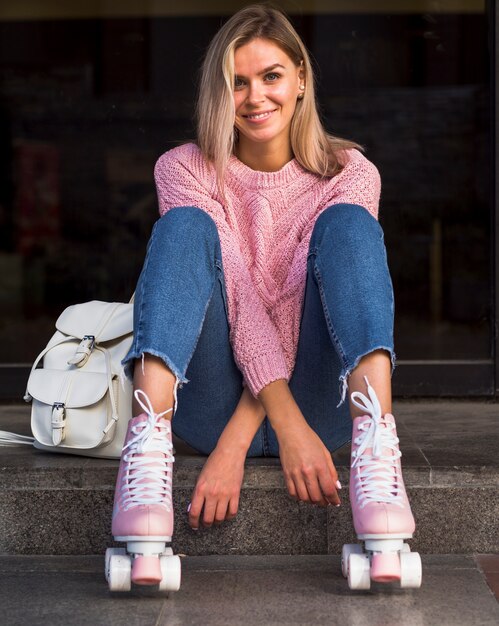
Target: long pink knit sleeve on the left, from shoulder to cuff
[(254, 338)]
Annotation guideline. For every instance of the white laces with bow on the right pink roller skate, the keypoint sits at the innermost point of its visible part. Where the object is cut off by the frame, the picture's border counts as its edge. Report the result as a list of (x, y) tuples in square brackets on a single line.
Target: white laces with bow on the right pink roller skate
[(378, 478)]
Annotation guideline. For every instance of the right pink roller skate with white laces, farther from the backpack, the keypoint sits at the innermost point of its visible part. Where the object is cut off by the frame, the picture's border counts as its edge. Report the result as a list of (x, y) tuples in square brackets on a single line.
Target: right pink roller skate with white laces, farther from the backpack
[(380, 508)]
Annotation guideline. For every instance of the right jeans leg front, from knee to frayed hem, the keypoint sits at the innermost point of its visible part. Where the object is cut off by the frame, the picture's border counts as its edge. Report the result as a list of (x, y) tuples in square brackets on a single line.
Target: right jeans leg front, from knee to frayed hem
[(348, 262)]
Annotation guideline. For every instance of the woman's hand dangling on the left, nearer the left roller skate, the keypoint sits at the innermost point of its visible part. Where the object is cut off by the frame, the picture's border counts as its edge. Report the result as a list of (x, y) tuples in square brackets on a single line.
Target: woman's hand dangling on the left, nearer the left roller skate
[(217, 490)]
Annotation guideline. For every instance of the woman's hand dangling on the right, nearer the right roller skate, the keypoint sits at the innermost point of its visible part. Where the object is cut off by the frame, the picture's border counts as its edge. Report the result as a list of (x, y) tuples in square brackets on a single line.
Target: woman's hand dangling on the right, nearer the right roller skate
[(308, 468)]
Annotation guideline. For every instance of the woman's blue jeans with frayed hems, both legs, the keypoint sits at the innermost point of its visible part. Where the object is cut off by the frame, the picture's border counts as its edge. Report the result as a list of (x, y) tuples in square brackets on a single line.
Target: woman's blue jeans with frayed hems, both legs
[(180, 315)]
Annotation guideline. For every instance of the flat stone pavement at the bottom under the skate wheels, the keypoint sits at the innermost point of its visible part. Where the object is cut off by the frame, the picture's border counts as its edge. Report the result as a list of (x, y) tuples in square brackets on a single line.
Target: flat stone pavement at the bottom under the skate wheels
[(240, 590)]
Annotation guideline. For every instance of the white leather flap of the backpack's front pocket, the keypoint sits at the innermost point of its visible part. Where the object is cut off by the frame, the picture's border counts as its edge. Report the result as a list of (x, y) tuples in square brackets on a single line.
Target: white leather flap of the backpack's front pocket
[(74, 388)]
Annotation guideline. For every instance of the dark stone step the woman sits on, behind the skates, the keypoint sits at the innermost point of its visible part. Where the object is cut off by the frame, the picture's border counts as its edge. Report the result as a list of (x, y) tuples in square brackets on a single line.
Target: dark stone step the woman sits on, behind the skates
[(61, 505)]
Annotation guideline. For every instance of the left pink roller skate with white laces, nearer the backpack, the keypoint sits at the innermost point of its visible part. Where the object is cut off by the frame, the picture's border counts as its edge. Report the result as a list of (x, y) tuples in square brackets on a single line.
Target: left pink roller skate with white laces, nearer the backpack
[(143, 508)]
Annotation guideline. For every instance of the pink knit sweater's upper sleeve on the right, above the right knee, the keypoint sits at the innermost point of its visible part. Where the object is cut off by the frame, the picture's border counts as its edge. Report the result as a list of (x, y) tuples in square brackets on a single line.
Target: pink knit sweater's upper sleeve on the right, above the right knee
[(358, 183)]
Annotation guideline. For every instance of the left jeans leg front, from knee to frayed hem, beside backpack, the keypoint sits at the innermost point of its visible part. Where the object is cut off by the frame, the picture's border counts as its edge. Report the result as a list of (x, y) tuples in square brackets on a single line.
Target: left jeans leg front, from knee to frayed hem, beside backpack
[(182, 263)]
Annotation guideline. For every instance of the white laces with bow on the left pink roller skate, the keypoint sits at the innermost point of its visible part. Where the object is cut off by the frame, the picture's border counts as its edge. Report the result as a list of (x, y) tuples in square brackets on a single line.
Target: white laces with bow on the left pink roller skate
[(148, 479)]
